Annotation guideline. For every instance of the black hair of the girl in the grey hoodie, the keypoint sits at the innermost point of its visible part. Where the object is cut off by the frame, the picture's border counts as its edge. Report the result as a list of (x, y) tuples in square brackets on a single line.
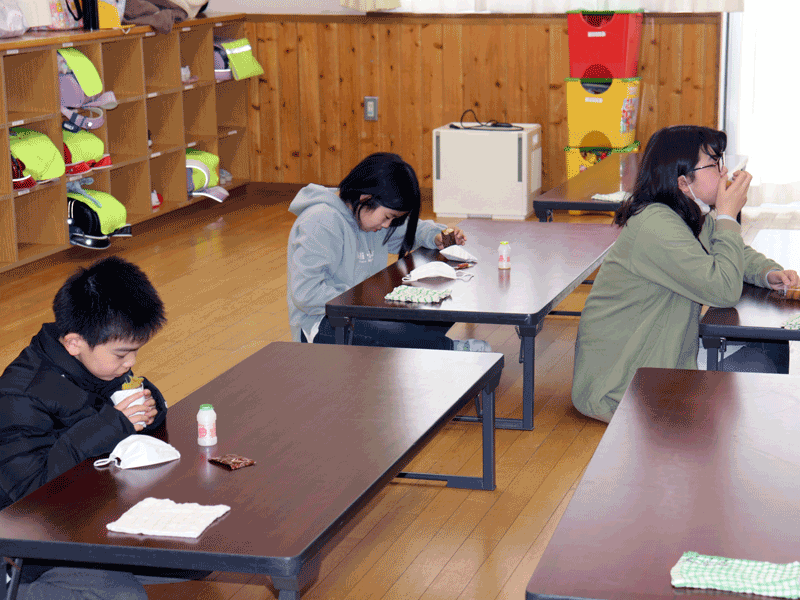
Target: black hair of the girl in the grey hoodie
[(390, 182)]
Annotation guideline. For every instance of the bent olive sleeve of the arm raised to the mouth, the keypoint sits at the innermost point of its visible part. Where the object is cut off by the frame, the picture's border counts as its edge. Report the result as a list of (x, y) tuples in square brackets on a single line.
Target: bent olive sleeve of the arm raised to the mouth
[(667, 253)]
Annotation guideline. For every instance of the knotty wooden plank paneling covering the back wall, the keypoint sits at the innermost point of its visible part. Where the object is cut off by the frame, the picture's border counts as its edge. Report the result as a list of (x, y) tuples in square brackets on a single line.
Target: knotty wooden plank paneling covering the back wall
[(426, 72)]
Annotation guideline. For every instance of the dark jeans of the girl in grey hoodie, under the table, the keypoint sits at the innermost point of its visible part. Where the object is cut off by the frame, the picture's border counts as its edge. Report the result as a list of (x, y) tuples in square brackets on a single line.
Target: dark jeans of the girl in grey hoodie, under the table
[(390, 334)]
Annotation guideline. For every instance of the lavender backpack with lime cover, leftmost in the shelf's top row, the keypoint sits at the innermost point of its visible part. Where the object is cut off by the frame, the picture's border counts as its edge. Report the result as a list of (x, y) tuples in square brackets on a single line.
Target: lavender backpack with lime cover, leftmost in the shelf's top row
[(81, 90)]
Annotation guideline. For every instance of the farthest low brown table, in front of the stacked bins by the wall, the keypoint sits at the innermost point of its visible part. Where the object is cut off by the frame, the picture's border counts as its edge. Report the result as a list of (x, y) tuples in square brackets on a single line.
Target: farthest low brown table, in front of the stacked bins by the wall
[(614, 173)]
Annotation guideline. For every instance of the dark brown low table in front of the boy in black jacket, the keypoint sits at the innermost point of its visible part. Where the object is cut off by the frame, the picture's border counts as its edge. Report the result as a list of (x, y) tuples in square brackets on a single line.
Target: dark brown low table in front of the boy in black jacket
[(328, 427)]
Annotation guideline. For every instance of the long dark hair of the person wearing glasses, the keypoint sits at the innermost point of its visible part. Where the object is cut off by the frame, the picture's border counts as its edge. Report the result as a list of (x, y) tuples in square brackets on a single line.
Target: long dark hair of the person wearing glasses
[(670, 153)]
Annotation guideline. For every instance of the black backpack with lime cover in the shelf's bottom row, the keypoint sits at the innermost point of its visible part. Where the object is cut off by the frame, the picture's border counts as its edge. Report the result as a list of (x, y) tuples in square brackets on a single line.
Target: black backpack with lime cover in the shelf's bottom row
[(94, 217)]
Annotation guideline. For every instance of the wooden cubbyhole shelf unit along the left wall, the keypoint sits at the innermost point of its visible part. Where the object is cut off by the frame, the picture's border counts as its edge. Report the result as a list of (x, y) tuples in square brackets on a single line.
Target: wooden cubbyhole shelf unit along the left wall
[(143, 69)]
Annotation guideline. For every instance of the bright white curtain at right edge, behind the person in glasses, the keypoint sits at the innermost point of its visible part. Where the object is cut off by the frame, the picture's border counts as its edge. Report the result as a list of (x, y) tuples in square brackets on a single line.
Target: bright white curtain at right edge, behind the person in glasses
[(767, 124)]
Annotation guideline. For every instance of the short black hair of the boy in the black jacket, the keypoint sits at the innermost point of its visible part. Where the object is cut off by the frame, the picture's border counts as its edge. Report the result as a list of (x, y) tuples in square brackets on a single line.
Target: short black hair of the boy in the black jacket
[(111, 300)]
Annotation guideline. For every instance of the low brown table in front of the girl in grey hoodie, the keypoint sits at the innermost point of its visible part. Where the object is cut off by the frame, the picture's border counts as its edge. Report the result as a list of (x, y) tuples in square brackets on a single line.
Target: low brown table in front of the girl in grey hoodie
[(548, 262)]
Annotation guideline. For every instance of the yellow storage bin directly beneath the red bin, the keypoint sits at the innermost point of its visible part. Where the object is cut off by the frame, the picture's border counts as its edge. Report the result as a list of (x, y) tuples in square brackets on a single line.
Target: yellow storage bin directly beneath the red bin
[(602, 113)]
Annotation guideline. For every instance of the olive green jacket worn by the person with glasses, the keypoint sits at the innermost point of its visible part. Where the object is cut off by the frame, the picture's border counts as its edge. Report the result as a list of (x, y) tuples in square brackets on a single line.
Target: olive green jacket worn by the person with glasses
[(644, 307)]
